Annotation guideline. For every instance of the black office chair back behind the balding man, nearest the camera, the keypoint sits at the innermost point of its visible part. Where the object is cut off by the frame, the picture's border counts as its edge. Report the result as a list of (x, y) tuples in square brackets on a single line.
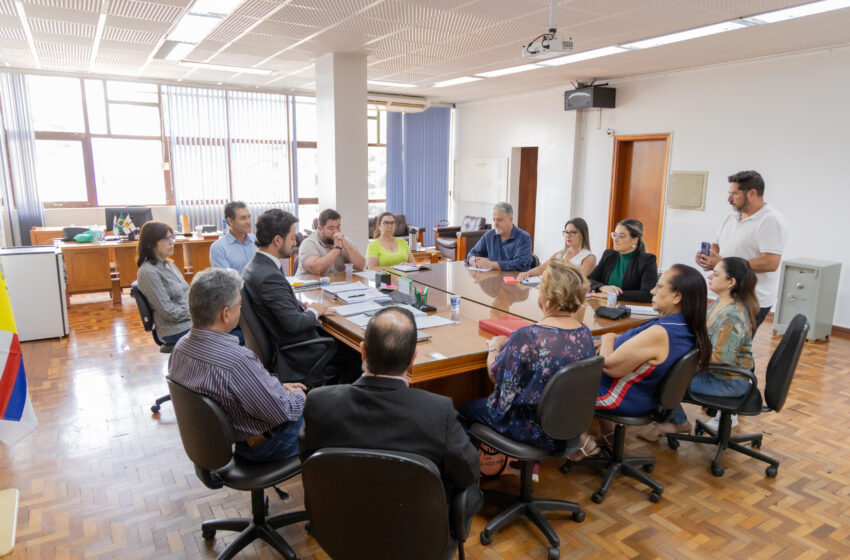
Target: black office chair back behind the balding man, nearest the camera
[(366, 504)]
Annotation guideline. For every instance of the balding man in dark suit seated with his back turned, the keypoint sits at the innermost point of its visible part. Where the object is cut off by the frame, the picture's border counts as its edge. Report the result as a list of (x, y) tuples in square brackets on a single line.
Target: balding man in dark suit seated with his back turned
[(381, 411)]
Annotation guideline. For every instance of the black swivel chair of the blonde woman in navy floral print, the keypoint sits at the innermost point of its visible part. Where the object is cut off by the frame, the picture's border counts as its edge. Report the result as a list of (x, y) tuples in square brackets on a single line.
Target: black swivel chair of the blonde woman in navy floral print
[(565, 412)]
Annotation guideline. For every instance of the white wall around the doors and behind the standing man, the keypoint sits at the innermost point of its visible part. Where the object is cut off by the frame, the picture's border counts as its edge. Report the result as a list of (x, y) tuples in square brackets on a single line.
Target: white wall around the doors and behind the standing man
[(786, 117)]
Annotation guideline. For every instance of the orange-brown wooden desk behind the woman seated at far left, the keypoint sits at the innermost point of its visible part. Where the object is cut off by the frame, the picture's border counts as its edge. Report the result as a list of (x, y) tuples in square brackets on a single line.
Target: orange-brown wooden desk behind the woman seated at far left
[(111, 265)]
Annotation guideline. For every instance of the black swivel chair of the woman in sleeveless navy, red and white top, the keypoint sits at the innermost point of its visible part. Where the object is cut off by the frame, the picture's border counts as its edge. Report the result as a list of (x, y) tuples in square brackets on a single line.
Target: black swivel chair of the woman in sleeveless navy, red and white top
[(671, 390)]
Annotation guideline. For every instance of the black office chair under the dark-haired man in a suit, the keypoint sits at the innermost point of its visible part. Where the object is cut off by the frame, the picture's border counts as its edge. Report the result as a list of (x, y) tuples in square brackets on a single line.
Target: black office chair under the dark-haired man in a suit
[(257, 340)]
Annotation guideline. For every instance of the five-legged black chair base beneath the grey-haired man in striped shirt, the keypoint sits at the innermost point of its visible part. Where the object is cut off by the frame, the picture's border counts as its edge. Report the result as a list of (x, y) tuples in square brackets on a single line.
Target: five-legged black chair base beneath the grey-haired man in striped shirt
[(260, 526)]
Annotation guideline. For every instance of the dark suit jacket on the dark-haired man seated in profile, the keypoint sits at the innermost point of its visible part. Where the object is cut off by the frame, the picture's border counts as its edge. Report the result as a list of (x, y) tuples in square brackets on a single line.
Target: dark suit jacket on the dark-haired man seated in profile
[(282, 316)]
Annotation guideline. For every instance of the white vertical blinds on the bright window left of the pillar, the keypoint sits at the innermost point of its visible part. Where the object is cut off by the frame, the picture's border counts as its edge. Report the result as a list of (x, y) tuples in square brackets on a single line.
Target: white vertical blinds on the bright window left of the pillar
[(227, 145)]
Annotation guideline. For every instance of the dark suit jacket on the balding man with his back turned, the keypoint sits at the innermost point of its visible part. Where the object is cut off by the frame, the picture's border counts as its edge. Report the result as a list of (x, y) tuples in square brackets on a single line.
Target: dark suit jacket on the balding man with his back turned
[(381, 413)]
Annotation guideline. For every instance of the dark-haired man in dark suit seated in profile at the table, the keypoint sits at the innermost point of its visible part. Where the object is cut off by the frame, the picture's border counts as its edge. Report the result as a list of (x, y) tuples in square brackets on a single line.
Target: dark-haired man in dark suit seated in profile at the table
[(283, 316)]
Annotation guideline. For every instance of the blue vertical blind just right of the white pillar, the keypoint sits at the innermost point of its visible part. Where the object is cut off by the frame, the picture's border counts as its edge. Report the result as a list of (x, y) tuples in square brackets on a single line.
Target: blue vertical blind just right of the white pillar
[(418, 167)]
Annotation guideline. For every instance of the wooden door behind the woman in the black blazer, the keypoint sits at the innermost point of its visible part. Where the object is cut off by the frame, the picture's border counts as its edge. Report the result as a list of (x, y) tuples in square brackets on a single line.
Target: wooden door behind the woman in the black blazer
[(639, 184)]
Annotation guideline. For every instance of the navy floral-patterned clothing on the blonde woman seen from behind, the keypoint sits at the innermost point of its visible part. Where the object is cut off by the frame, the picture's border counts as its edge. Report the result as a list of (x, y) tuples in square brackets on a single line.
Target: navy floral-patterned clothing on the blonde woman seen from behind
[(530, 357)]
